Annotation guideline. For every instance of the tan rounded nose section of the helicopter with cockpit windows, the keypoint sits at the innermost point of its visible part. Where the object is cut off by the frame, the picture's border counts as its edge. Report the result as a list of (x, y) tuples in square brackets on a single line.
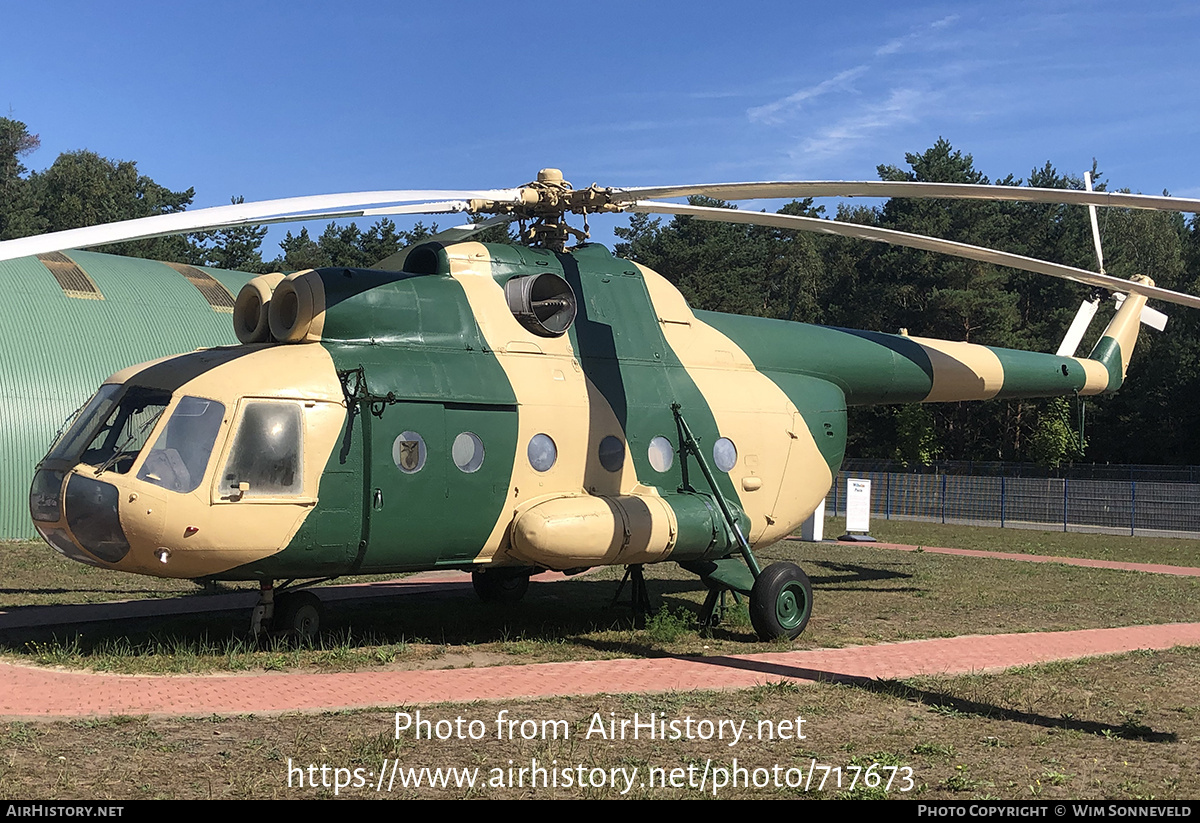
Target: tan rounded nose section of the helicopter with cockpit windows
[(165, 472)]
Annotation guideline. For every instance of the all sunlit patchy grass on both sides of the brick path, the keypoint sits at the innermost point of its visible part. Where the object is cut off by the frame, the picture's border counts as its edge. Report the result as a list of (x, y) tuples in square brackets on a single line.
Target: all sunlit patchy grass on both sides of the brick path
[(1119, 728)]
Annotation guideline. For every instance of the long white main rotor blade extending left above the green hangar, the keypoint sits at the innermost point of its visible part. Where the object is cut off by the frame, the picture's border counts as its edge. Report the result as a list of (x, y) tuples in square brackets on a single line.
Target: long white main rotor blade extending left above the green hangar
[(292, 209)]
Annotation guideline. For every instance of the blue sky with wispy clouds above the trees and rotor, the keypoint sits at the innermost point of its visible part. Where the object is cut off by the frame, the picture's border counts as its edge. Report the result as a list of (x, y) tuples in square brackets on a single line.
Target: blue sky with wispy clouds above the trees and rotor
[(272, 100)]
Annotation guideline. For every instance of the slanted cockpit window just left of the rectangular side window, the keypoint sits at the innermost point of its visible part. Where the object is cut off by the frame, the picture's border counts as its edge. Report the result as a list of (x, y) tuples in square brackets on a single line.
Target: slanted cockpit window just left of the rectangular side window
[(182, 453)]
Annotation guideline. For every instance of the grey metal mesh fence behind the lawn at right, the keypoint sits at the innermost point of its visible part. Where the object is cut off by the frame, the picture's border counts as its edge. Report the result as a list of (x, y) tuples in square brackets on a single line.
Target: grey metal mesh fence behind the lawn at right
[(1115, 507)]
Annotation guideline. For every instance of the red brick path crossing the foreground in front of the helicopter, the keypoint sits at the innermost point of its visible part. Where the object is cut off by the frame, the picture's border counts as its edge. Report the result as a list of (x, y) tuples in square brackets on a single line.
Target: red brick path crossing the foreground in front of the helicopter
[(27, 692)]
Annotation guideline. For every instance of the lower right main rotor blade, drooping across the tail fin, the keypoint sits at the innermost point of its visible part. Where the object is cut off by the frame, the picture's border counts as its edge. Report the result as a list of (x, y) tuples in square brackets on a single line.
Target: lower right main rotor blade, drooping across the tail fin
[(917, 242)]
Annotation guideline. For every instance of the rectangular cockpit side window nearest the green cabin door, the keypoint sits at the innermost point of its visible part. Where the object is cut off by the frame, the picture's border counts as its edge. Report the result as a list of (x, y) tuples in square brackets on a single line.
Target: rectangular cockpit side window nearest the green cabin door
[(267, 452)]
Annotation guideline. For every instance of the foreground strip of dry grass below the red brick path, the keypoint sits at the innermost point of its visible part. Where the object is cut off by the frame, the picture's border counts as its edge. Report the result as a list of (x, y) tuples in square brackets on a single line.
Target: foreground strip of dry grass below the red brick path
[(1049, 732)]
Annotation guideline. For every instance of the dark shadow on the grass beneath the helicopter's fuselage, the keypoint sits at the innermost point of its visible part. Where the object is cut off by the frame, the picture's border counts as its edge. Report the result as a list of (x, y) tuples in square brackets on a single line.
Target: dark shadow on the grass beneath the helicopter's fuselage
[(579, 612)]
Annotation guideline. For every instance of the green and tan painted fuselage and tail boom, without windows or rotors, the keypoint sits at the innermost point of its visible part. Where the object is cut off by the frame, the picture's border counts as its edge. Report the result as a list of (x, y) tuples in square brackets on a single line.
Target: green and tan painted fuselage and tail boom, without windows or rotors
[(440, 355)]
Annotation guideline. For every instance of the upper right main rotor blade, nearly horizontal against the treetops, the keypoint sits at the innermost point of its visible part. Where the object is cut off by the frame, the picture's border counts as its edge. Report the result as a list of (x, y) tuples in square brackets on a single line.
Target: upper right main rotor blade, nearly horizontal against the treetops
[(951, 191)]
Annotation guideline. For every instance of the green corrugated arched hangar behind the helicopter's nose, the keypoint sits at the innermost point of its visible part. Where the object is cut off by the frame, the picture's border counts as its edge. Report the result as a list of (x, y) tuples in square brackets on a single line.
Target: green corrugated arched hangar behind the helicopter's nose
[(69, 321)]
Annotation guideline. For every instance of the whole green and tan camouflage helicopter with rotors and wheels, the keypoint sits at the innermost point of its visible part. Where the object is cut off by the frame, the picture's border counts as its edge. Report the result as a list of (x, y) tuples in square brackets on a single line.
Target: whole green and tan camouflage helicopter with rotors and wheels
[(505, 410)]
